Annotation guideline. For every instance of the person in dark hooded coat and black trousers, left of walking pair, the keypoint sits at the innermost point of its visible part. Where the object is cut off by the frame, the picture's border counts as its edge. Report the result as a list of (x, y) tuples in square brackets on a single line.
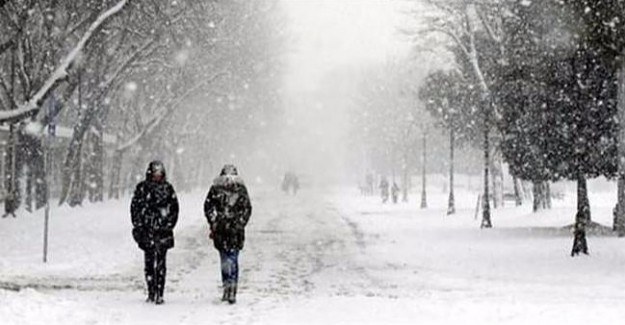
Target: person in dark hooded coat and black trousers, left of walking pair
[(154, 213)]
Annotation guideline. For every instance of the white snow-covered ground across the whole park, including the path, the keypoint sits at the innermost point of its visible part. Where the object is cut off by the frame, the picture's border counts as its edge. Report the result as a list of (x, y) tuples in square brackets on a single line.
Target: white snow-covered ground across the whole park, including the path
[(322, 257)]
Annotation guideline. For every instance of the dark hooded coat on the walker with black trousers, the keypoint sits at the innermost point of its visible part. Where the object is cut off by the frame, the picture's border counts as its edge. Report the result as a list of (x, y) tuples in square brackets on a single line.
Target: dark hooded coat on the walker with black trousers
[(154, 212)]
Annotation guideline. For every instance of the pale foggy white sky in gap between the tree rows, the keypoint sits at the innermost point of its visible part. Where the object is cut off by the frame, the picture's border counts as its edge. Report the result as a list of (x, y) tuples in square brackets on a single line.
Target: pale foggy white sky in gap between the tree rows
[(331, 37)]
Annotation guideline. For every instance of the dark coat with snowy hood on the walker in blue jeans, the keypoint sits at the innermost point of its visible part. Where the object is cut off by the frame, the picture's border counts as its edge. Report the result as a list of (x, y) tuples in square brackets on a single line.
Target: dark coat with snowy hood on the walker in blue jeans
[(228, 209)]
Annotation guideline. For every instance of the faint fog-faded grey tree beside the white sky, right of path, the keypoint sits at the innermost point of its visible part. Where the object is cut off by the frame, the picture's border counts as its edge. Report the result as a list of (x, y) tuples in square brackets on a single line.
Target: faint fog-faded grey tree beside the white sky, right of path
[(385, 122)]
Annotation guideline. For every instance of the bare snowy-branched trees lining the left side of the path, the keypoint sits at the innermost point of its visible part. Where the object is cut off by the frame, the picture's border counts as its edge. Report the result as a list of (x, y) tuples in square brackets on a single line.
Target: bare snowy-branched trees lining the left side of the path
[(161, 77)]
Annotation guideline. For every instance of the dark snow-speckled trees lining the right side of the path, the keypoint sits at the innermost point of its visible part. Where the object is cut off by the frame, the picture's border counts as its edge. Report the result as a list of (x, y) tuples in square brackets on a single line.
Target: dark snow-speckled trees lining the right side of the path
[(538, 82)]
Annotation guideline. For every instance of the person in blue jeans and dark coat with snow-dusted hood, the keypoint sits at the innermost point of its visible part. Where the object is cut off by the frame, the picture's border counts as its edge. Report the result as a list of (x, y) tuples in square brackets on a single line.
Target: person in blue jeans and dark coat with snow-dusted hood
[(228, 209)]
